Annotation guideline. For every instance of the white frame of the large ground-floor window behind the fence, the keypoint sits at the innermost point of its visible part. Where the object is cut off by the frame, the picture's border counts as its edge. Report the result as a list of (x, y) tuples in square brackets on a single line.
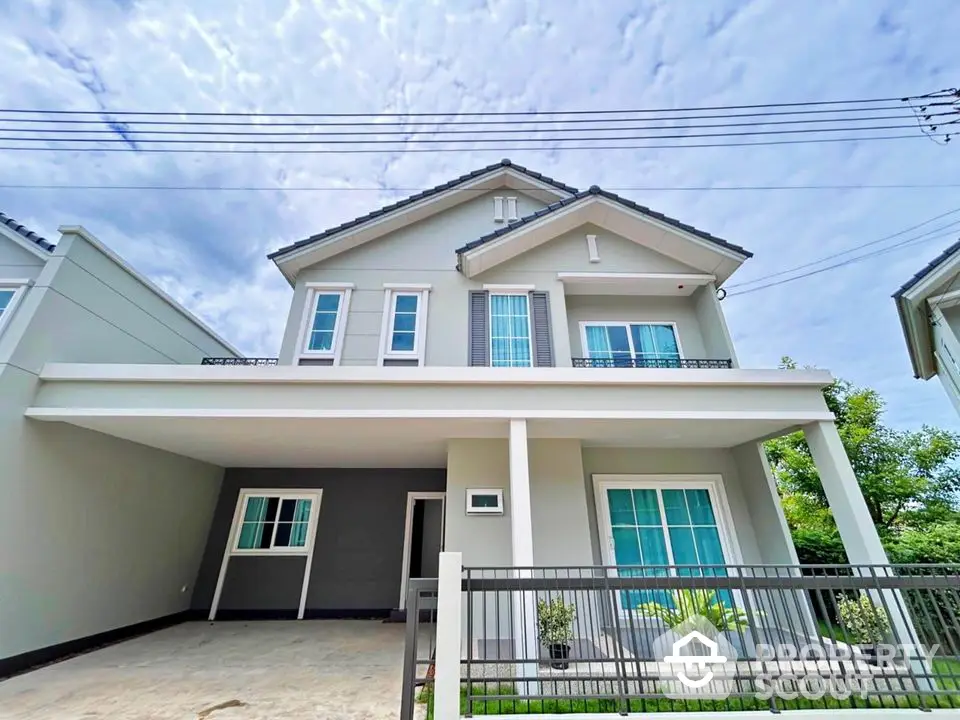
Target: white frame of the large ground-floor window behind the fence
[(714, 486)]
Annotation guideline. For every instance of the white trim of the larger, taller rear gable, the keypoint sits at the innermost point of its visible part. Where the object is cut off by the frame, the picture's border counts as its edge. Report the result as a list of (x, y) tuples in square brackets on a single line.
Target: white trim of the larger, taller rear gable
[(292, 262)]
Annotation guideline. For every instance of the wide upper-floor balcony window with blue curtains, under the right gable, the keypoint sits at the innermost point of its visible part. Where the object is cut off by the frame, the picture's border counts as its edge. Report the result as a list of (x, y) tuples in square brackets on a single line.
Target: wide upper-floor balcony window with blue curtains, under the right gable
[(630, 344)]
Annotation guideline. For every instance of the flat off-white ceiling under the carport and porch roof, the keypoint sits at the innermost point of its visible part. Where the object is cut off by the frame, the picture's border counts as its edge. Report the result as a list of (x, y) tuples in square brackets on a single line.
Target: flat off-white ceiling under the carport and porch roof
[(316, 442)]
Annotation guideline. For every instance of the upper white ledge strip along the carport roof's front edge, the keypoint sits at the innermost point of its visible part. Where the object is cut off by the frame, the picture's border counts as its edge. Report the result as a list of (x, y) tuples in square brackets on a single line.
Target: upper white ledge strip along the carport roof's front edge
[(110, 372)]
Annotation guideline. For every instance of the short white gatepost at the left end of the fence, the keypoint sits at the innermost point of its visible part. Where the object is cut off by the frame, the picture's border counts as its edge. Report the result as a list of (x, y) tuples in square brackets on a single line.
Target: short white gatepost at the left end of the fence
[(446, 699)]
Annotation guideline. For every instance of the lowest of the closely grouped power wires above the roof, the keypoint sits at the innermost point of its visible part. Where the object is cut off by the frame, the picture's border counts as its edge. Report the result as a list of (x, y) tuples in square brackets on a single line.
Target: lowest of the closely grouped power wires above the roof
[(403, 151)]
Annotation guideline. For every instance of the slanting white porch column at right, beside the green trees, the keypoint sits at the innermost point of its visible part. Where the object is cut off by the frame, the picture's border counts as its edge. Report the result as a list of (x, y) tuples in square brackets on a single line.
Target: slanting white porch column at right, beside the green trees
[(858, 533)]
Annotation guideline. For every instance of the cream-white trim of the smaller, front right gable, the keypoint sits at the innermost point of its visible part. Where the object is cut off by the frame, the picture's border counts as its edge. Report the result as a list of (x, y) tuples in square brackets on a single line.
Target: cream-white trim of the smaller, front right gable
[(660, 237)]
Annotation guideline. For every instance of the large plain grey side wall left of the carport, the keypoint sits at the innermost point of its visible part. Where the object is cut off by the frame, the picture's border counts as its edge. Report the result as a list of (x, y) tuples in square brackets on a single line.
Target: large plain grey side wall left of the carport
[(99, 533)]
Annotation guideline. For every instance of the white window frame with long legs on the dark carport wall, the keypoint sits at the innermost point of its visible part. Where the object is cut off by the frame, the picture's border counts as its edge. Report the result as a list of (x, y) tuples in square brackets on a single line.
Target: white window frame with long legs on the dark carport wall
[(230, 547)]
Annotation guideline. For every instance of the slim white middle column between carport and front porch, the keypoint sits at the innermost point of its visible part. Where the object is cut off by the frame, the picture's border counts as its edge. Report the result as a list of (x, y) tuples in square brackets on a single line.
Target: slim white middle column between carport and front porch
[(525, 642)]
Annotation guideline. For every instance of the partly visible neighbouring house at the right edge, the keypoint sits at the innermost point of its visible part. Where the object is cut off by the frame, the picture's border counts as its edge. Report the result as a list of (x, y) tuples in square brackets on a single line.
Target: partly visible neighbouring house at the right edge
[(929, 309)]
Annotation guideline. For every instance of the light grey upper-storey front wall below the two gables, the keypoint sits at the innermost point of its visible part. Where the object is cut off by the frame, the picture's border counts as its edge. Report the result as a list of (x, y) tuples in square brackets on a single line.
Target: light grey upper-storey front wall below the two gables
[(424, 253)]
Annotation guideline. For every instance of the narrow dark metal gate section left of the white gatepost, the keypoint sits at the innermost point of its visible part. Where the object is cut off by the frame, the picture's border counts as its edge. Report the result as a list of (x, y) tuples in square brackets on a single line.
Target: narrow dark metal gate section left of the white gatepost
[(420, 645)]
